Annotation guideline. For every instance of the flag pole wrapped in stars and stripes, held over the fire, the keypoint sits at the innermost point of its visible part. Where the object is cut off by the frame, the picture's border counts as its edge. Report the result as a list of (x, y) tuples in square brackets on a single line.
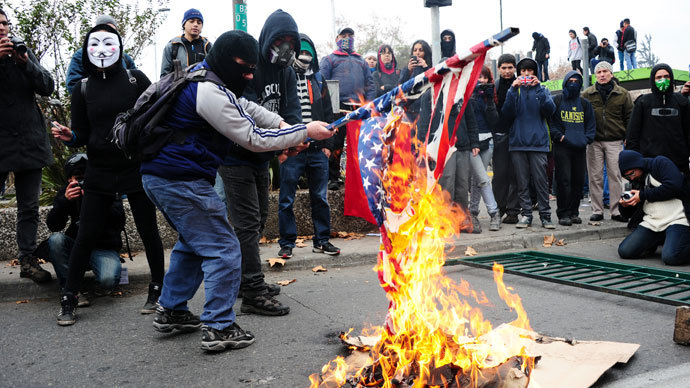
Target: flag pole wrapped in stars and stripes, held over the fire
[(413, 88)]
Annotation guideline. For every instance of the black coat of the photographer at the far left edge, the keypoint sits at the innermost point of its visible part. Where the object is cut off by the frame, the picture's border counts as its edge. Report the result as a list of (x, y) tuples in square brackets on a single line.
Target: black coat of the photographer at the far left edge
[(24, 141)]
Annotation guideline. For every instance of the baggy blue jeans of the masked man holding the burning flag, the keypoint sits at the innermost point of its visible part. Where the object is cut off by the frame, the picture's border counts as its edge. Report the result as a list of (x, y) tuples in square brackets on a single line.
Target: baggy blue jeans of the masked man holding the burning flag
[(207, 248)]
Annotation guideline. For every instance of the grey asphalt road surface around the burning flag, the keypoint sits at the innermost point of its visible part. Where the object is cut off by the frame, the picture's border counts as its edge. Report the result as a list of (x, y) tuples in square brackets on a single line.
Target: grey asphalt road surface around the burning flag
[(113, 345)]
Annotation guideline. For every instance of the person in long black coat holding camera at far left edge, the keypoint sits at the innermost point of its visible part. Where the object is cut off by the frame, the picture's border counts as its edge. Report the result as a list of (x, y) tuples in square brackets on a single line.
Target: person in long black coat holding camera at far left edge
[(24, 145)]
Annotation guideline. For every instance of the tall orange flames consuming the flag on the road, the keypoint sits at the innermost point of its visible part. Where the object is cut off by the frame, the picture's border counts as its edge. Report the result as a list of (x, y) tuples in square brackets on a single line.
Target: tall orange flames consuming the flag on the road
[(434, 324)]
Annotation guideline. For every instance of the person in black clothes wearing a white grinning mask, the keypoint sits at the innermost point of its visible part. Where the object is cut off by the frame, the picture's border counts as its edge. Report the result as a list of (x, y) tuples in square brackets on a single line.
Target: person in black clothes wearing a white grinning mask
[(109, 90)]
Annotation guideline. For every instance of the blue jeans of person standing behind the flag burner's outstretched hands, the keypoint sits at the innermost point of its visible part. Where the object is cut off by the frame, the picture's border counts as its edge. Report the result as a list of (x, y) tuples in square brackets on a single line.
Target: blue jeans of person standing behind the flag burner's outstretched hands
[(315, 162)]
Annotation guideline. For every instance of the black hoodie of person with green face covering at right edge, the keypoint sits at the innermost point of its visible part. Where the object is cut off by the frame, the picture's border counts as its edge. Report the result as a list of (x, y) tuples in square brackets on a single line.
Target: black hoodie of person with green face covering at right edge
[(660, 124)]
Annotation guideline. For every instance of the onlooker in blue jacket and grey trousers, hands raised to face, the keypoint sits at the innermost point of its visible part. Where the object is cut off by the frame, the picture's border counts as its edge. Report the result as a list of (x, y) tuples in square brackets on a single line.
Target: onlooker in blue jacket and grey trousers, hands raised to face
[(529, 105)]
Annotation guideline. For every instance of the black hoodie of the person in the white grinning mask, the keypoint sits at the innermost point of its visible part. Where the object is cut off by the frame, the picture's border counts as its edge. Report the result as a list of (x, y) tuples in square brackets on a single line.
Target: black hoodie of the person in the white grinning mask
[(108, 92)]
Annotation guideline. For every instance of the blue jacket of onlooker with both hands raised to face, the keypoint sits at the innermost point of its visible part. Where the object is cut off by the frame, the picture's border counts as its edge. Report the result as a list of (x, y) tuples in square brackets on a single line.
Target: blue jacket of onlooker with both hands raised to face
[(529, 107)]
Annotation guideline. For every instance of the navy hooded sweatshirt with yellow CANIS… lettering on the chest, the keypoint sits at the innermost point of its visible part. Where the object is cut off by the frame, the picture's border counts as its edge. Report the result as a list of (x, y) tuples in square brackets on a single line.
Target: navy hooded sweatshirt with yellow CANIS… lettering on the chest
[(573, 118)]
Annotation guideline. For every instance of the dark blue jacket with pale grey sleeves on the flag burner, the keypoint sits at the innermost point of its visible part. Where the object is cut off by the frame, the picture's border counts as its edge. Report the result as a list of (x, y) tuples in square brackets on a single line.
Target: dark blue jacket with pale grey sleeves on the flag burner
[(213, 118)]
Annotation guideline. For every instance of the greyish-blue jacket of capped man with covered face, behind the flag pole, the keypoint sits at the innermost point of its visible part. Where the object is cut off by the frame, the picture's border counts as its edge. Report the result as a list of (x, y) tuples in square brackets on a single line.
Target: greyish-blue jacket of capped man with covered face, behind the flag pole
[(353, 75)]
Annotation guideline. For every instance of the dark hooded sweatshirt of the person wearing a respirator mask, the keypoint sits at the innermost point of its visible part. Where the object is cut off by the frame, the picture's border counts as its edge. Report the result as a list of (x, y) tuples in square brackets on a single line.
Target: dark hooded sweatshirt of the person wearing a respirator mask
[(274, 87)]
